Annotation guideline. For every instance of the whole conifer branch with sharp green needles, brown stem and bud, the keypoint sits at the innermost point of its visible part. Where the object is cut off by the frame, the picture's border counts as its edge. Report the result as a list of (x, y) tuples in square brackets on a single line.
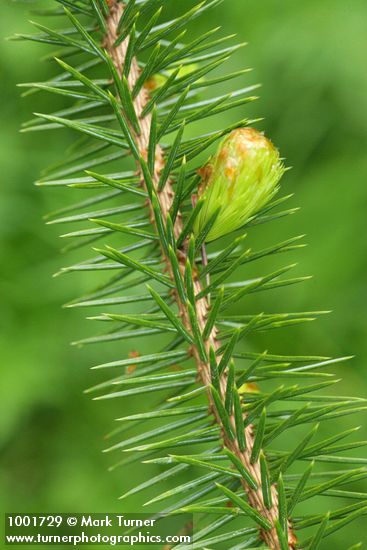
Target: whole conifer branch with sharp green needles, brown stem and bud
[(169, 207)]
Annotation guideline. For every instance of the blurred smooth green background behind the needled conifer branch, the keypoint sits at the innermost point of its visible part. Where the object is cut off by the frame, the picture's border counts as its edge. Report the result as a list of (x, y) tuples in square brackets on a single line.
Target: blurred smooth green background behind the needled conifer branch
[(309, 57)]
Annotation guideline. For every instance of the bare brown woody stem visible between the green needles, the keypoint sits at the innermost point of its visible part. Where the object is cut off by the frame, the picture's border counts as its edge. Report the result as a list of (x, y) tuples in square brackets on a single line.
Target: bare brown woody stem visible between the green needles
[(166, 196)]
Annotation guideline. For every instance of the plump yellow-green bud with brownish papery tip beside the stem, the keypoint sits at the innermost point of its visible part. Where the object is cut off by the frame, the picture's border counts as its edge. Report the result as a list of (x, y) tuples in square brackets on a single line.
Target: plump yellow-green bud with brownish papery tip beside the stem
[(240, 179)]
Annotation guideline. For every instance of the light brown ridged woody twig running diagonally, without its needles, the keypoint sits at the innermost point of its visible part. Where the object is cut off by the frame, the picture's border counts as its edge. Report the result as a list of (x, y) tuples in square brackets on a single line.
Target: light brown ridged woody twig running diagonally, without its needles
[(242, 458)]
